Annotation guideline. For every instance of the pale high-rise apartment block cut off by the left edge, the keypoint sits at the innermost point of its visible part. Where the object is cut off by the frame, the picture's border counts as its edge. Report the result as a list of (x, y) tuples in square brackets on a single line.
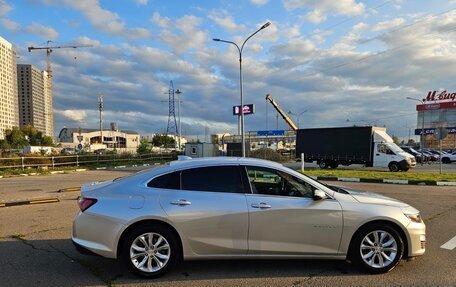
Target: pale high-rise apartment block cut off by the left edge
[(8, 88)]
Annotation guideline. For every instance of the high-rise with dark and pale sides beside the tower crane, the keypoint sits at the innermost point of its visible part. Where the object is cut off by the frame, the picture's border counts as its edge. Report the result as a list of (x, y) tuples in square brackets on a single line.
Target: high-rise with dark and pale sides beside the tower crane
[(35, 106)]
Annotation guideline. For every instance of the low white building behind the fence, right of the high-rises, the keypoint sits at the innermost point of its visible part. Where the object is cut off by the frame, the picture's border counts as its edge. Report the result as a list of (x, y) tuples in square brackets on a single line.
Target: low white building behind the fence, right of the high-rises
[(90, 139)]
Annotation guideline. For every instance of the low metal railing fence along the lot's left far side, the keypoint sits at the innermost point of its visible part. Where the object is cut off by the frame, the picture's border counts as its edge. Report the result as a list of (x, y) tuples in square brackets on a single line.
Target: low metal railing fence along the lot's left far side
[(77, 160)]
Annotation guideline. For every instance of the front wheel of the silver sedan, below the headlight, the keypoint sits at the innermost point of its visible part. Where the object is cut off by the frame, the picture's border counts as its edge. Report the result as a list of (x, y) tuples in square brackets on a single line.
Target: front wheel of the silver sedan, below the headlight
[(377, 248)]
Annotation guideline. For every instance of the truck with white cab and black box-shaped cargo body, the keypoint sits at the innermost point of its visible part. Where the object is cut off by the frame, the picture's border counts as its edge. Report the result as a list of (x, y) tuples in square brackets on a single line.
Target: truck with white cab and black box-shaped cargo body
[(370, 146)]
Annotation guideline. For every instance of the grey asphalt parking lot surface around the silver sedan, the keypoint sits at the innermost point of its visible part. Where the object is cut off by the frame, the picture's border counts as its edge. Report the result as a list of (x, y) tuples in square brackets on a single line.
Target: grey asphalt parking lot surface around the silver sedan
[(35, 246)]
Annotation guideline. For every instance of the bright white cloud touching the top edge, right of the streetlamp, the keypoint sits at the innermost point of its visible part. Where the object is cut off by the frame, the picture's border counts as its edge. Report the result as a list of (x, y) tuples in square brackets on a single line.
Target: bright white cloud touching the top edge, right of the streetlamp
[(321, 8)]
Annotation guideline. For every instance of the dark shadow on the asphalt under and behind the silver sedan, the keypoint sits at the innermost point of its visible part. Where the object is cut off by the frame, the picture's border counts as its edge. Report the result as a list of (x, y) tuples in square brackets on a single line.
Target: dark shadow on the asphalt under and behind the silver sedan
[(57, 263)]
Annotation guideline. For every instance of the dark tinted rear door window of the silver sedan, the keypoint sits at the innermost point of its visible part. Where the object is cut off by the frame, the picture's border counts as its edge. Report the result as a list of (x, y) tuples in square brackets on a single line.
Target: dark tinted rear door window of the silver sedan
[(214, 178)]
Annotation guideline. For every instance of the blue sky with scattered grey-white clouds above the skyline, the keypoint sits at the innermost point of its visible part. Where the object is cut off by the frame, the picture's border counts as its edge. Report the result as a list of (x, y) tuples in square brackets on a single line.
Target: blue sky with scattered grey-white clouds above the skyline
[(338, 63)]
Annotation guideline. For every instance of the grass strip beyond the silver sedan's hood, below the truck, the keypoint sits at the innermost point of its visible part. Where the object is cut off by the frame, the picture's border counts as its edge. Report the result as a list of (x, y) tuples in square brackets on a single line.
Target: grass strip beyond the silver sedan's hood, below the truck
[(414, 176)]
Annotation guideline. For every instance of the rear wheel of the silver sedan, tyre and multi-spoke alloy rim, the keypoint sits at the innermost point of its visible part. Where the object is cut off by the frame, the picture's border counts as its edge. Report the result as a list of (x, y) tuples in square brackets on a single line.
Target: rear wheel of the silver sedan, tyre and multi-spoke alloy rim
[(150, 250)]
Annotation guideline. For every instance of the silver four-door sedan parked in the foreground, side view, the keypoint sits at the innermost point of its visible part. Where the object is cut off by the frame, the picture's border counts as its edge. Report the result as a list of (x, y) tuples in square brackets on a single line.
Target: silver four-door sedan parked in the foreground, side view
[(220, 208)]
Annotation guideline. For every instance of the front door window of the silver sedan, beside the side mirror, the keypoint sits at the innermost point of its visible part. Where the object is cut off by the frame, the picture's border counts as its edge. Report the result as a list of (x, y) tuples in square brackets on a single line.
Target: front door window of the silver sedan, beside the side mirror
[(275, 182)]
